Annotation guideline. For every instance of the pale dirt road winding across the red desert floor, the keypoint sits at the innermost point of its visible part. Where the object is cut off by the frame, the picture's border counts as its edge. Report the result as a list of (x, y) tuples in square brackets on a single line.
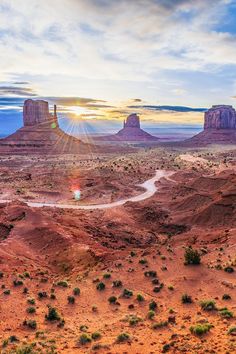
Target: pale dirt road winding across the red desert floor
[(149, 185)]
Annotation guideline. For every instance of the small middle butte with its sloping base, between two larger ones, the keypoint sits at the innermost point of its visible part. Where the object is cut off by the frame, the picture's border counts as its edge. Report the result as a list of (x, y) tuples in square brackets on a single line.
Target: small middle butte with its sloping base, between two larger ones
[(131, 131)]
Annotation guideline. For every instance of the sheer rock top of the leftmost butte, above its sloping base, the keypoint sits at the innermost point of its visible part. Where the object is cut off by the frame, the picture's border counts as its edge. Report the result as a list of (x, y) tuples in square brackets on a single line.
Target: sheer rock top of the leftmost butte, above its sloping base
[(37, 112)]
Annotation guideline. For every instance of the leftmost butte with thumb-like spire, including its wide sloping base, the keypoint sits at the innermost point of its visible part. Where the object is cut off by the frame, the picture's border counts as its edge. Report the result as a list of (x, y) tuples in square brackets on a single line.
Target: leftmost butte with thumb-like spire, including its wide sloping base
[(41, 133)]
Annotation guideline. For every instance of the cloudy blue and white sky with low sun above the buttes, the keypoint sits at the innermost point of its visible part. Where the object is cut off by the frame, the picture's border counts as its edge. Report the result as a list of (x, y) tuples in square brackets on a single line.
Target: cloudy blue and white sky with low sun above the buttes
[(100, 60)]
